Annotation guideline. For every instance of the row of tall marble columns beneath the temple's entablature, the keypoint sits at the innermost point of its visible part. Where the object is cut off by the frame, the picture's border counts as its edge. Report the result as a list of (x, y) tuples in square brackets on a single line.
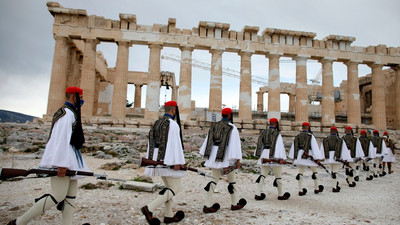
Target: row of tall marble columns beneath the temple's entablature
[(299, 102)]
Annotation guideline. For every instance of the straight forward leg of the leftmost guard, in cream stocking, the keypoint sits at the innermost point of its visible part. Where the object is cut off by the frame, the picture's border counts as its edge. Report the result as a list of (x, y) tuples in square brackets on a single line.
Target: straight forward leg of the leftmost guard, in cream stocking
[(68, 205)]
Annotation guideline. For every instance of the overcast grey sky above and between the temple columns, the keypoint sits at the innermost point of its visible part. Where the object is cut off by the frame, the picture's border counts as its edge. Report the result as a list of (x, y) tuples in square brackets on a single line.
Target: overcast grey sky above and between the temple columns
[(27, 45)]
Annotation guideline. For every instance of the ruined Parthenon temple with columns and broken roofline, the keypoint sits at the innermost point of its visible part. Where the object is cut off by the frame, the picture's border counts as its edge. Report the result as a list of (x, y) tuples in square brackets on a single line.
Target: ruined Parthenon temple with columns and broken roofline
[(77, 62)]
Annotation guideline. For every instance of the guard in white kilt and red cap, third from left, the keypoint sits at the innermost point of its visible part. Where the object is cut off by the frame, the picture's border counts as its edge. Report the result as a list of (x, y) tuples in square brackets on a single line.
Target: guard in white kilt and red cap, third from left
[(222, 150)]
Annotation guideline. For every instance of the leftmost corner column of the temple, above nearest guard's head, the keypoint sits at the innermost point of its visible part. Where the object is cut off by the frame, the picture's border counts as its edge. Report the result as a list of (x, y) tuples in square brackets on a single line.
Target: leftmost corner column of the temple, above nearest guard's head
[(59, 74)]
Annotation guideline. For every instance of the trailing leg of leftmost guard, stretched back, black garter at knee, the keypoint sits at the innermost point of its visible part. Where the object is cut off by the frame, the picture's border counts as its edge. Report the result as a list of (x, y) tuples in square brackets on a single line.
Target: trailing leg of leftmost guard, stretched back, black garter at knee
[(59, 186)]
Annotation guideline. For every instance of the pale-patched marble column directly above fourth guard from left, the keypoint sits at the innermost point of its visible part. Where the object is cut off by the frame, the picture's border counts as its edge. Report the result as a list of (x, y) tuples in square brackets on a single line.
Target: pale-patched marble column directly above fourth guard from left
[(274, 88)]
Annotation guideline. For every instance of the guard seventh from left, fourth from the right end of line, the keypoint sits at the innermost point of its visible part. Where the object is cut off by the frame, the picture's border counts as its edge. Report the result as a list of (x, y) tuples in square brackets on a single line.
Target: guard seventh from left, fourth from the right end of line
[(356, 153)]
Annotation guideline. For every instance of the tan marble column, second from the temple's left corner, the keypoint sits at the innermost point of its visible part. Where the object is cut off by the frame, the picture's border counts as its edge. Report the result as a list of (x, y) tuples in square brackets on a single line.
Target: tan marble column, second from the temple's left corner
[(88, 77)]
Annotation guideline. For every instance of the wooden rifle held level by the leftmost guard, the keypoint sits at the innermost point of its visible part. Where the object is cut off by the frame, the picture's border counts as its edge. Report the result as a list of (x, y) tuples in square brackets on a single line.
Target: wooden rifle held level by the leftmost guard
[(7, 173)]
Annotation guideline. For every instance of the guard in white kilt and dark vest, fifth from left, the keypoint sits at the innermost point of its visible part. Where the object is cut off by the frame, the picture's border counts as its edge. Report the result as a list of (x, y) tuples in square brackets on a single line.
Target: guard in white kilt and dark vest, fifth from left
[(306, 153)]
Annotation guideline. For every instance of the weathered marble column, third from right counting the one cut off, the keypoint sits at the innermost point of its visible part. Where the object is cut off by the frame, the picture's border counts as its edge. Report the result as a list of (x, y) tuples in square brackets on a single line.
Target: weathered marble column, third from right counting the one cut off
[(353, 94)]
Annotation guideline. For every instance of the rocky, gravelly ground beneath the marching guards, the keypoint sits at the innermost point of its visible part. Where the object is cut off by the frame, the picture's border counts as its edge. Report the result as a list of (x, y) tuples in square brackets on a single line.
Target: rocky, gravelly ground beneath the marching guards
[(114, 151)]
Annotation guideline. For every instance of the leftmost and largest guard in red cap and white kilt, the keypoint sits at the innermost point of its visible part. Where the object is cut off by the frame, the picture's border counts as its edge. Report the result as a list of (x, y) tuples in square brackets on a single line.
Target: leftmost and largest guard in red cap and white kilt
[(62, 152)]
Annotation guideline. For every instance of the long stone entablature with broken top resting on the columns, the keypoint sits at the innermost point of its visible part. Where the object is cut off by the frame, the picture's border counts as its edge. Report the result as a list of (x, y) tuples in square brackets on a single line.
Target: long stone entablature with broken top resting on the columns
[(213, 35)]
